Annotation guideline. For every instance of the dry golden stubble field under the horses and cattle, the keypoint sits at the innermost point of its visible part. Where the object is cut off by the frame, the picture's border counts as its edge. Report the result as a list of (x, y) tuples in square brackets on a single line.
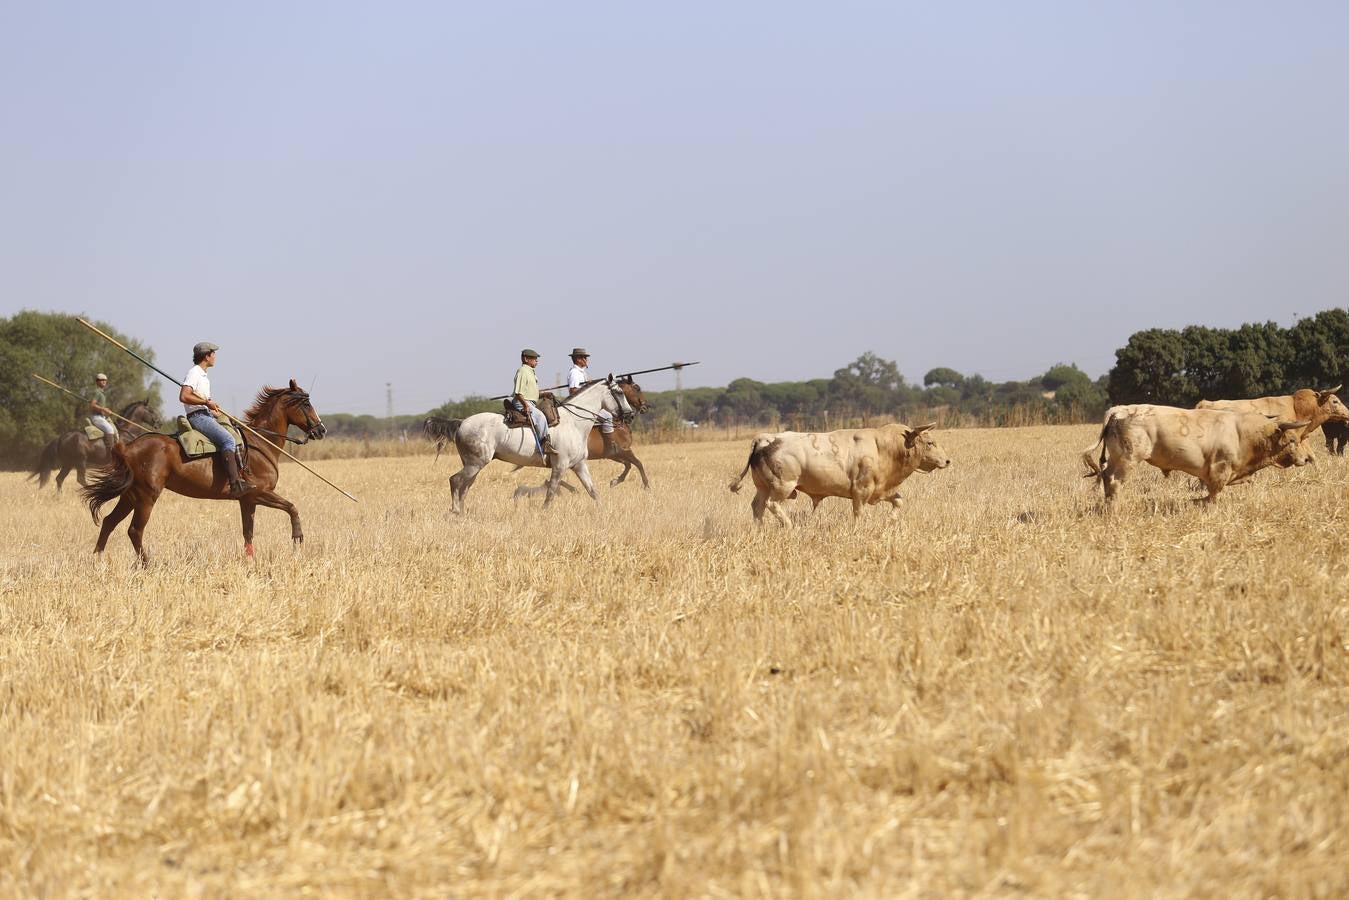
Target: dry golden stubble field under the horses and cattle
[(1003, 693)]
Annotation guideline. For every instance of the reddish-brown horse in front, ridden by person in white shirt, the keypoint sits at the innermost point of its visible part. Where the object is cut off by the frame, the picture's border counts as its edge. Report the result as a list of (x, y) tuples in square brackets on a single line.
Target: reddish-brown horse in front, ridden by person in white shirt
[(141, 472)]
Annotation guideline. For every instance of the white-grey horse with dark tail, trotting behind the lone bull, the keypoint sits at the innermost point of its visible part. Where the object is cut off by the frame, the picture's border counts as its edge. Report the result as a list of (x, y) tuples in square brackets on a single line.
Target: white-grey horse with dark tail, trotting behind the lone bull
[(484, 438)]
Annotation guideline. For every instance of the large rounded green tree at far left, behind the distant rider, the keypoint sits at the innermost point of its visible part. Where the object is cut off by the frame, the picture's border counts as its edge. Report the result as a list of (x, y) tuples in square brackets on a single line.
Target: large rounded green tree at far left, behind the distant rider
[(57, 347)]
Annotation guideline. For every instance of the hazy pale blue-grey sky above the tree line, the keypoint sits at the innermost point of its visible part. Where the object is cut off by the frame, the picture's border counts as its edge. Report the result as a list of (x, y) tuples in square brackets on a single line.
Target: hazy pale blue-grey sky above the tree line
[(409, 194)]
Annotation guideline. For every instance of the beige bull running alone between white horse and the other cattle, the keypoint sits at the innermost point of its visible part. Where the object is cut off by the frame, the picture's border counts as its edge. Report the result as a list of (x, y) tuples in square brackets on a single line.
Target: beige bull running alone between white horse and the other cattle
[(863, 465)]
